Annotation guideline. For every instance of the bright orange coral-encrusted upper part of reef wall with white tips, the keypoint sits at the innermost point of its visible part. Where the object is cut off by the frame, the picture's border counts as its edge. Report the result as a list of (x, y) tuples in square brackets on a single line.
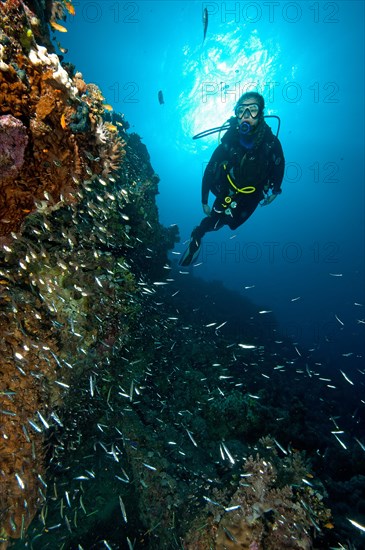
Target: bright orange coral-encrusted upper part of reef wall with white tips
[(59, 120)]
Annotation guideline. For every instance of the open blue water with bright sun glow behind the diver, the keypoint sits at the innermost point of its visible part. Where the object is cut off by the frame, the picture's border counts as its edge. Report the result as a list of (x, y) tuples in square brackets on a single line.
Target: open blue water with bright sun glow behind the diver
[(302, 257)]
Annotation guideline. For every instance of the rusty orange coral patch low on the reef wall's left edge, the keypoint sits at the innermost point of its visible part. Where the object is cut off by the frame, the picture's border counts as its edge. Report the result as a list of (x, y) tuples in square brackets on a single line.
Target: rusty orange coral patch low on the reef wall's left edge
[(24, 367)]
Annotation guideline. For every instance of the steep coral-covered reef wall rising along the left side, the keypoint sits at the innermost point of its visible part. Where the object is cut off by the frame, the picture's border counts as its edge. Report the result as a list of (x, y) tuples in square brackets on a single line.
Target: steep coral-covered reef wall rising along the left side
[(68, 222)]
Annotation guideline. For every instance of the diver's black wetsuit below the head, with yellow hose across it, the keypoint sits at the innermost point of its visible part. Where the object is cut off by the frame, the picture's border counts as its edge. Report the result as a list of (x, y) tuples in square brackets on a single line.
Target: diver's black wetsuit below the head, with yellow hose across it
[(233, 166)]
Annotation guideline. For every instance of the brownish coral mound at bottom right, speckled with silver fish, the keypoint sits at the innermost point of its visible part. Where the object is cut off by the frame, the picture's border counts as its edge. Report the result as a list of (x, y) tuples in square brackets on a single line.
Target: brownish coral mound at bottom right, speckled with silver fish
[(262, 513)]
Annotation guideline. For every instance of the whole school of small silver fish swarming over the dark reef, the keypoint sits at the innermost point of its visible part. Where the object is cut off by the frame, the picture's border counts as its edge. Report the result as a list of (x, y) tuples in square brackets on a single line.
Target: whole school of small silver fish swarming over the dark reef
[(137, 411)]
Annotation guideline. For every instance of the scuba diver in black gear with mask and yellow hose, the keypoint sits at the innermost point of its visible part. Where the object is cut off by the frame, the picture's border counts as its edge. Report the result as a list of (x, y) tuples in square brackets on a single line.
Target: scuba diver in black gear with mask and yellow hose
[(246, 169)]
